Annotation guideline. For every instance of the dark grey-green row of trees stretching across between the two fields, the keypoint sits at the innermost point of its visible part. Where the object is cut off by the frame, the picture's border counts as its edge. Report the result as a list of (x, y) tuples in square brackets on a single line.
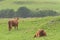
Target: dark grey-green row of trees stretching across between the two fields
[(26, 12)]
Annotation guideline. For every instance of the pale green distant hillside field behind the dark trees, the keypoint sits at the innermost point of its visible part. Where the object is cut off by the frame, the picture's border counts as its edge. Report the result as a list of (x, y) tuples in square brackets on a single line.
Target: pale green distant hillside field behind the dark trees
[(31, 4)]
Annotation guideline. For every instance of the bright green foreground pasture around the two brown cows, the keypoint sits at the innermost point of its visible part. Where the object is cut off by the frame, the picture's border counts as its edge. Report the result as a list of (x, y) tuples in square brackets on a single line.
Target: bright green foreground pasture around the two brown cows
[(28, 27)]
